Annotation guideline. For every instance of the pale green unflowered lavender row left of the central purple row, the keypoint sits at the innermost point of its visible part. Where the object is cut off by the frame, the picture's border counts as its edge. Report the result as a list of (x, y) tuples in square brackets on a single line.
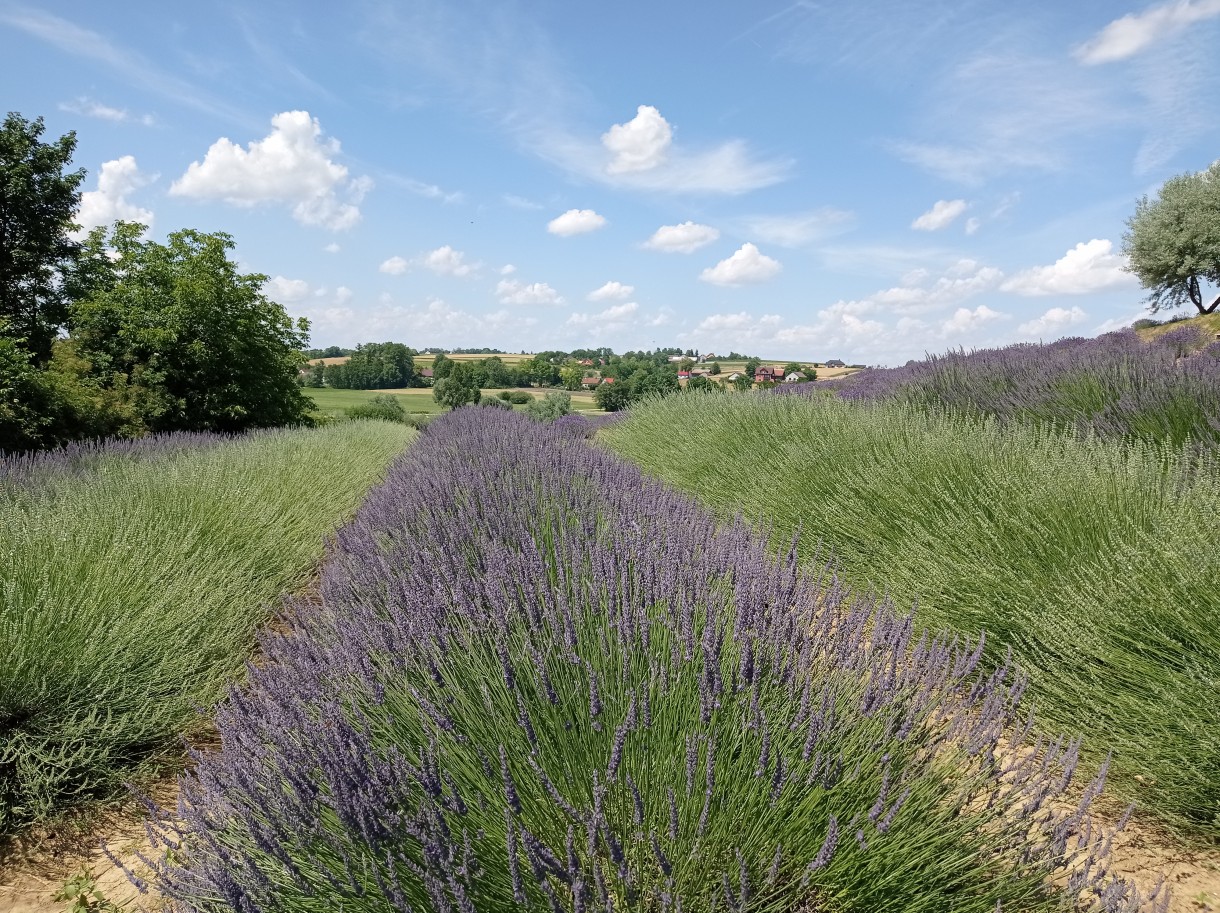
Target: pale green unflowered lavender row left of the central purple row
[(131, 591)]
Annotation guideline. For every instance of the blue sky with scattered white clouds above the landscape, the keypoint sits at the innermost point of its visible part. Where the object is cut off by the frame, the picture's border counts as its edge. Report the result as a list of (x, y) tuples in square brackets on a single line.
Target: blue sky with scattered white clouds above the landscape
[(800, 181)]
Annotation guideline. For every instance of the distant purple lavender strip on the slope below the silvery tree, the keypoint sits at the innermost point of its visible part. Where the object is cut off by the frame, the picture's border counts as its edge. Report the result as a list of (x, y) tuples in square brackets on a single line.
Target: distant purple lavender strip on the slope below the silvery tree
[(1114, 386)]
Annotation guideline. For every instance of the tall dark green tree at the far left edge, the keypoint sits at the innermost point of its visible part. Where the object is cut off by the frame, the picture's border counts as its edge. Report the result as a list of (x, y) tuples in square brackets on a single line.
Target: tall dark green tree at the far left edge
[(38, 200)]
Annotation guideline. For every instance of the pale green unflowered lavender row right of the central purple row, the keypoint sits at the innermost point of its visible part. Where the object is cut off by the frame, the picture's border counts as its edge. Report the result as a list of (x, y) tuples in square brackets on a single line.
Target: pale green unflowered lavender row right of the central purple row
[(1094, 561)]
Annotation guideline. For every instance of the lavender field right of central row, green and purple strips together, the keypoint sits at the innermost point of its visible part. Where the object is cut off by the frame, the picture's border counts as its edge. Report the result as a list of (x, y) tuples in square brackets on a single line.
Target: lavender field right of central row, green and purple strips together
[(1062, 499)]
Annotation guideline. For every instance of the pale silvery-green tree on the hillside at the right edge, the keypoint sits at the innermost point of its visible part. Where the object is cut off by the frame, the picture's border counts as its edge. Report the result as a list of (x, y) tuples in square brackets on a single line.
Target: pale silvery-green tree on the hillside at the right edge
[(1173, 242)]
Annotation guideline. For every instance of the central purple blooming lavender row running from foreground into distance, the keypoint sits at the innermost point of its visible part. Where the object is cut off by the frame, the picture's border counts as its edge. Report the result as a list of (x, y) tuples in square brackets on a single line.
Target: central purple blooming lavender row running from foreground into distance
[(536, 680)]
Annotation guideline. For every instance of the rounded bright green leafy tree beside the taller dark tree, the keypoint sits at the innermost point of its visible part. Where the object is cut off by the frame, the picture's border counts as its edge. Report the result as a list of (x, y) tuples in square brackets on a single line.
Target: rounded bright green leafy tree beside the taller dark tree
[(191, 342)]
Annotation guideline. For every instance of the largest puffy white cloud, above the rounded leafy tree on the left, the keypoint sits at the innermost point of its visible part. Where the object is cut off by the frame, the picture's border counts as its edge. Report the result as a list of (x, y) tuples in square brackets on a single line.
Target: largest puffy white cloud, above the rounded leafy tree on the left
[(292, 165)]
